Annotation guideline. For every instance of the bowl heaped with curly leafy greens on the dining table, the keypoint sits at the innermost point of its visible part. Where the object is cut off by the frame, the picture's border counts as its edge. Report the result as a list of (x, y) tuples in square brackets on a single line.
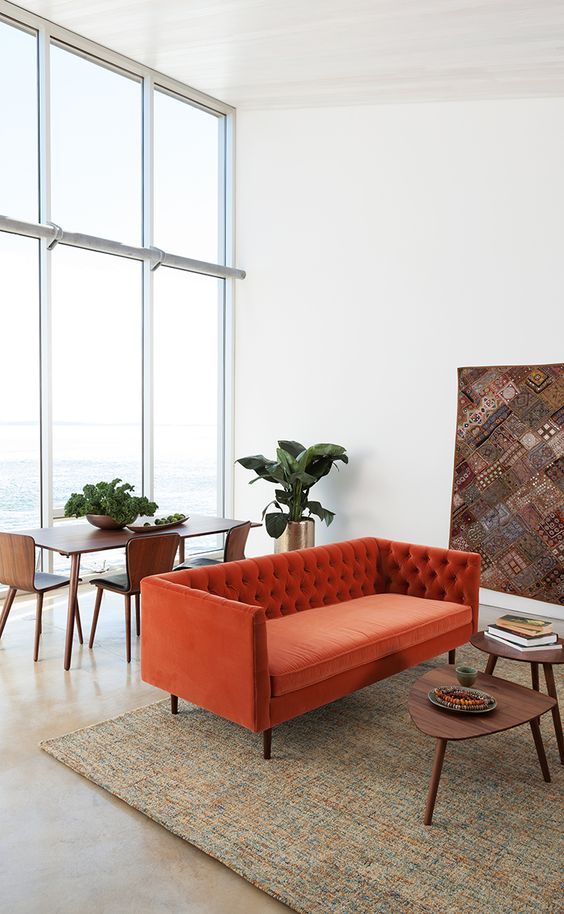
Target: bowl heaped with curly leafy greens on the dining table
[(109, 505)]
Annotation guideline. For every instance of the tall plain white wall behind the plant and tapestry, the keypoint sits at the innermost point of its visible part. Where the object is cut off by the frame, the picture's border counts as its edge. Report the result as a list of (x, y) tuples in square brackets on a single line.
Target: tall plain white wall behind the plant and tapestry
[(385, 246)]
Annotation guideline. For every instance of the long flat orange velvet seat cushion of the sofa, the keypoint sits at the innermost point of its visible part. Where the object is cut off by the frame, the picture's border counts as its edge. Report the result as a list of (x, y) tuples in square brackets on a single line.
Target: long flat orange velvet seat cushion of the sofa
[(316, 644)]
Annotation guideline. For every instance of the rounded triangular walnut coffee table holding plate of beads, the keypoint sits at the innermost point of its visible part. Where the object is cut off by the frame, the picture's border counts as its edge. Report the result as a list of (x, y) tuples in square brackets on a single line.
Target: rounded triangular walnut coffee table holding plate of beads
[(516, 705)]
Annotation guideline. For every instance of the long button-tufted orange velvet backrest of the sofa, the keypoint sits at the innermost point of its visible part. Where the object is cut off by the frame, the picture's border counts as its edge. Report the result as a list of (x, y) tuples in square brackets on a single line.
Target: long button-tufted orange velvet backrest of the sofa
[(293, 581)]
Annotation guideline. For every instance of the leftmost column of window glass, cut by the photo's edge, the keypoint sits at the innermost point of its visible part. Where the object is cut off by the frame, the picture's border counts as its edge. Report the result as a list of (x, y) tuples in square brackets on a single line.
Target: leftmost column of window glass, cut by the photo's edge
[(20, 477)]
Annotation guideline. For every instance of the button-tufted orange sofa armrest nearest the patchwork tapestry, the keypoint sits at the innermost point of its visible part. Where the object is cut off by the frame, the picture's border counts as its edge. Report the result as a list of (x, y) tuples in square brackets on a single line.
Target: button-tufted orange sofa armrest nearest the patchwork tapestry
[(437, 574)]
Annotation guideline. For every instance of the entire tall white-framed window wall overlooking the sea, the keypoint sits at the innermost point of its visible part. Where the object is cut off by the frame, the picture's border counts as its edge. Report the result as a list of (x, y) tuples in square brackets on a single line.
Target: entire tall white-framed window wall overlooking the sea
[(112, 328)]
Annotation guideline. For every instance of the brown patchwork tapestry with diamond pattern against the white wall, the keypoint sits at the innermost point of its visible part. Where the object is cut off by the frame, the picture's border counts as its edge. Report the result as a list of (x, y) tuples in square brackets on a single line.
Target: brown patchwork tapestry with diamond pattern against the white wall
[(507, 498)]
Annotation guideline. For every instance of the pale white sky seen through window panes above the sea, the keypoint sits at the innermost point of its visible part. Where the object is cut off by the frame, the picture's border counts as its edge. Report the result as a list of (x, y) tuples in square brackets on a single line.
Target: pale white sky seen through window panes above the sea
[(96, 188)]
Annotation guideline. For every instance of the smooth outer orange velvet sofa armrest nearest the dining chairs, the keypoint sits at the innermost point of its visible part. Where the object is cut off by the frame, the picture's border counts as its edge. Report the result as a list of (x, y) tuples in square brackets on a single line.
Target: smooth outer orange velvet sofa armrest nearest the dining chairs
[(206, 649)]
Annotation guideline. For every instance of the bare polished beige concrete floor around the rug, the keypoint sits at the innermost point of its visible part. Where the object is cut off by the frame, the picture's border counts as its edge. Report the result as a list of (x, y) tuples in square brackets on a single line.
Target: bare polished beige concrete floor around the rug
[(65, 844)]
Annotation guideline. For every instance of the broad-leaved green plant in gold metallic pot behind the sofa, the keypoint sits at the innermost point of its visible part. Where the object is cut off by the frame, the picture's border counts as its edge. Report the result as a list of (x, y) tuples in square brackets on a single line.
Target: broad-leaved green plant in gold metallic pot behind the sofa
[(295, 471)]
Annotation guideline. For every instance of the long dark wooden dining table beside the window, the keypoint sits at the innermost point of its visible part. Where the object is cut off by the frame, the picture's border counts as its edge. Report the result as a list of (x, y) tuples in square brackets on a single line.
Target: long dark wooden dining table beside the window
[(74, 540)]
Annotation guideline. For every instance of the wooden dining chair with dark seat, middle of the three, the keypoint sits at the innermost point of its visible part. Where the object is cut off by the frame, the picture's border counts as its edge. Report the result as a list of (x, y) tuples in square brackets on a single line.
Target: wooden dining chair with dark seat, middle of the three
[(144, 555)]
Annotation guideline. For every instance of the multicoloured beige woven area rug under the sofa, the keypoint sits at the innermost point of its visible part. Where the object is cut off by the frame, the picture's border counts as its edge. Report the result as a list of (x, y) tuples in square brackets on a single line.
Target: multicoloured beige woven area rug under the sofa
[(333, 823)]
